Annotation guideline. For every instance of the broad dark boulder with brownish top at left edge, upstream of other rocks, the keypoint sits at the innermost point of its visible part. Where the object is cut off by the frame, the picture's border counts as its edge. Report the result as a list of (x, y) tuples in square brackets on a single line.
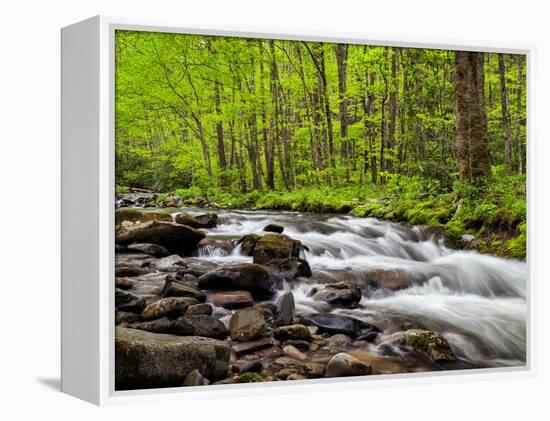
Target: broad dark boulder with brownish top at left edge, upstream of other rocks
[(177, 238)]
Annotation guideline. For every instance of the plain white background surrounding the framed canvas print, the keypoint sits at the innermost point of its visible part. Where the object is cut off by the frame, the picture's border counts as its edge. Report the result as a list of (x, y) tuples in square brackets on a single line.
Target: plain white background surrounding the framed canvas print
[(29, 205)]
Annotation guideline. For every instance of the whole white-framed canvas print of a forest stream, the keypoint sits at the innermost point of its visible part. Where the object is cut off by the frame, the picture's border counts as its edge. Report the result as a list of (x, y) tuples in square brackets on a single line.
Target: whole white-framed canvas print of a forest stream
[(246, 210)]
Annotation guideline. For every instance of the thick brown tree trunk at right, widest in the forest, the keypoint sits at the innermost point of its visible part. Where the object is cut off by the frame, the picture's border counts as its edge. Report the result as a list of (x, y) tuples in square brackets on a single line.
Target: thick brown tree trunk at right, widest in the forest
[(472, 148)]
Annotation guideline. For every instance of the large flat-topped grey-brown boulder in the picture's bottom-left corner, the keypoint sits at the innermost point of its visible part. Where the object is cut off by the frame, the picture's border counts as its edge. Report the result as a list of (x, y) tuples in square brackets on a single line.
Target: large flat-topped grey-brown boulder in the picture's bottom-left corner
[(148, 360)]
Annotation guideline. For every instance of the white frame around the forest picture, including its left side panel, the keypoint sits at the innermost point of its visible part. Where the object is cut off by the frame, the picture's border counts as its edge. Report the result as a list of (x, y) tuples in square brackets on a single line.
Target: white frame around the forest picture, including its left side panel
[(88, 132)]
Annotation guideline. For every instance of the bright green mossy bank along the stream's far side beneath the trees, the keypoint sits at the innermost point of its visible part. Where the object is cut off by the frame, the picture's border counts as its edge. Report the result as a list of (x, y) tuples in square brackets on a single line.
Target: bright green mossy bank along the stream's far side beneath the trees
[(489, 217)]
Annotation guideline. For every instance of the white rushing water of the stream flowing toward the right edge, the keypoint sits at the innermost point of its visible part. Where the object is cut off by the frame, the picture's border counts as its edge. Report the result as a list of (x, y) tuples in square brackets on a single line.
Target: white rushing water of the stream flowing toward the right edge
[(478, 302)]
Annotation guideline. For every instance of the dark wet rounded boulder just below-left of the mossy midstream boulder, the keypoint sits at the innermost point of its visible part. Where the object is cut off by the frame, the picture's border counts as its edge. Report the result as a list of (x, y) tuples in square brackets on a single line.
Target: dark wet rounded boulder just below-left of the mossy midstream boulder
[(249, 277)]
